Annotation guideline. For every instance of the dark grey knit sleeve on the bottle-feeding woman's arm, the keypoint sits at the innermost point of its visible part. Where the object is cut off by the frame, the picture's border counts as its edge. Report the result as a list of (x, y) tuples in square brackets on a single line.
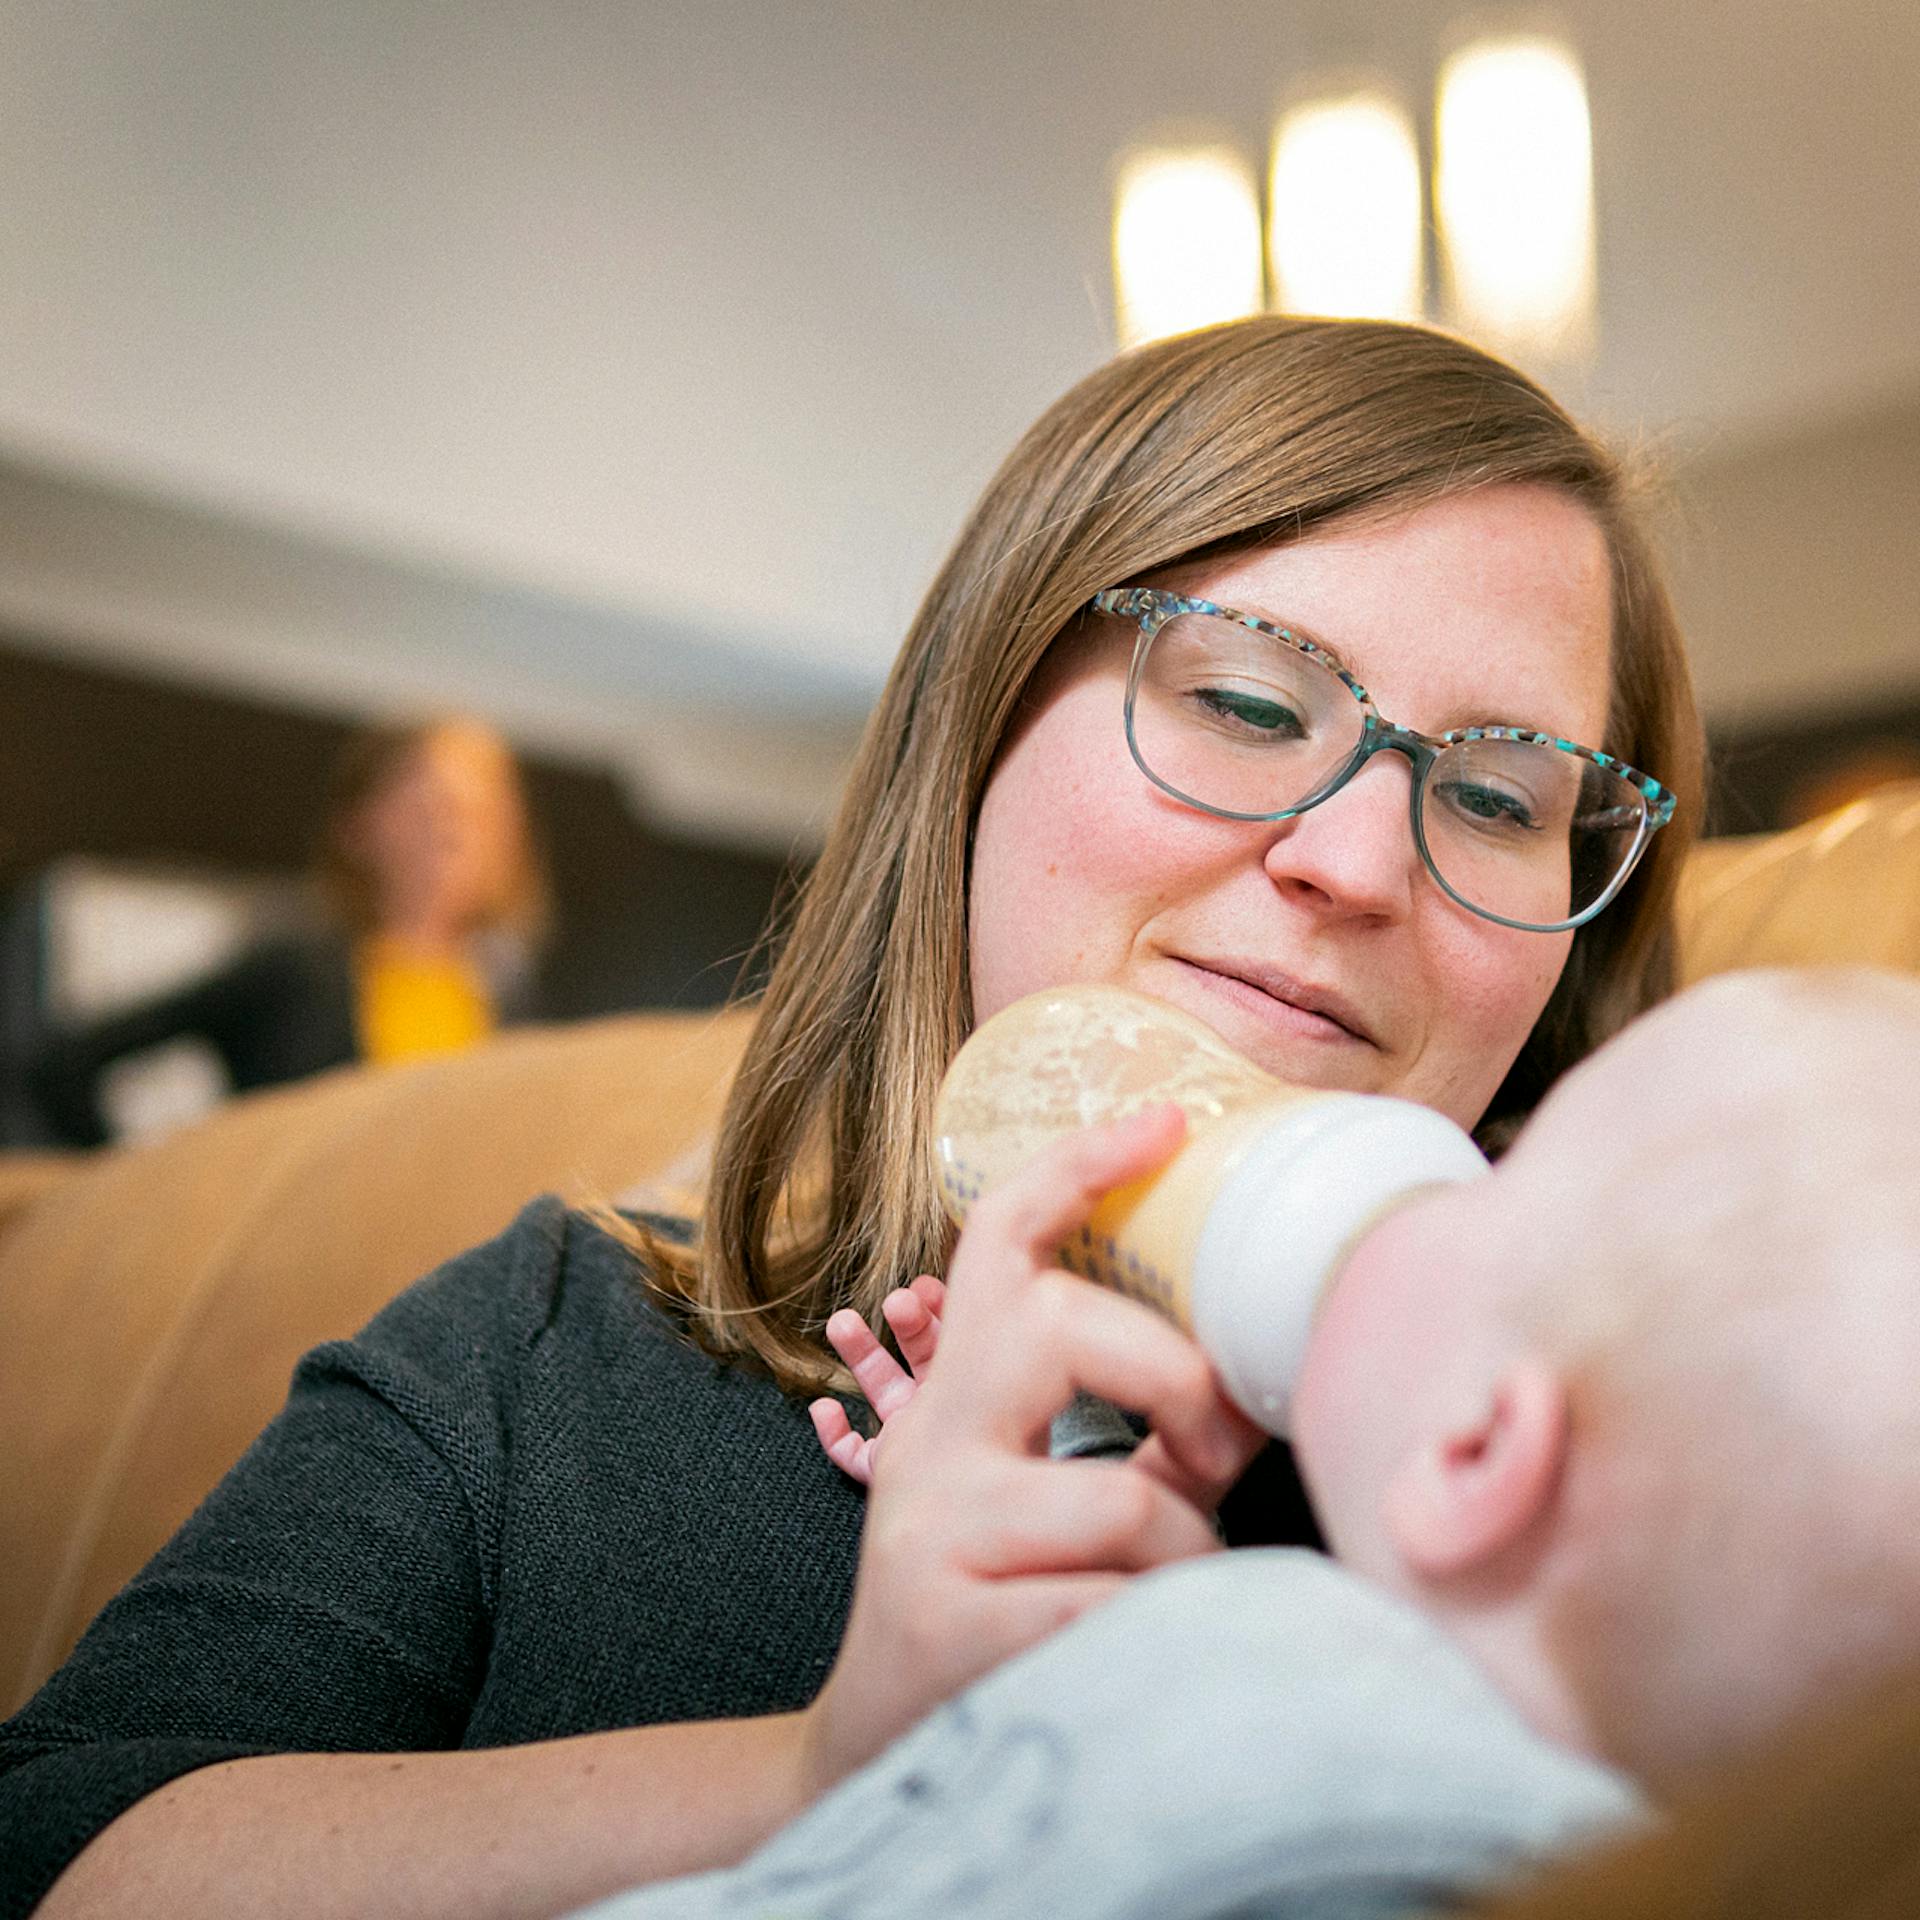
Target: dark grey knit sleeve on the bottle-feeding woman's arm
[(331, 1595)]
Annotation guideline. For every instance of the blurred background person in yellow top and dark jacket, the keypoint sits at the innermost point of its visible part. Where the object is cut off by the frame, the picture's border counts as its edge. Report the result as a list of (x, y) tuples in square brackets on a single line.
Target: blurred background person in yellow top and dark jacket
[(435, 905)]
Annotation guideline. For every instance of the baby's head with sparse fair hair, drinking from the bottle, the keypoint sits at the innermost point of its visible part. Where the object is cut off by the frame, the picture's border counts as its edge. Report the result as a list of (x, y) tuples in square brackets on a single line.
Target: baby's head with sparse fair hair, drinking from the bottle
[(1639, 1418)]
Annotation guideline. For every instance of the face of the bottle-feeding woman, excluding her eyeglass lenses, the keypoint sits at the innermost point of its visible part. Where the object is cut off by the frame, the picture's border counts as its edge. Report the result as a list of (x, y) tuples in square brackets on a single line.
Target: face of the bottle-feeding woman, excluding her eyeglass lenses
[(1320, 946)]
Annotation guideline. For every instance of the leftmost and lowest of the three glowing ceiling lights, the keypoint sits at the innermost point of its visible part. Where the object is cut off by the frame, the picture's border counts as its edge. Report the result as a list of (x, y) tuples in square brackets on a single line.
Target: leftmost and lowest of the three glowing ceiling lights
[(1186, 241)]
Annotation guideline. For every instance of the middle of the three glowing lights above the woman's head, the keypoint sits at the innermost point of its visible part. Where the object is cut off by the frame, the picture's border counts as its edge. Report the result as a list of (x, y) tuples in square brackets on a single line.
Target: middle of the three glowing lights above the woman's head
[(1345, 222)]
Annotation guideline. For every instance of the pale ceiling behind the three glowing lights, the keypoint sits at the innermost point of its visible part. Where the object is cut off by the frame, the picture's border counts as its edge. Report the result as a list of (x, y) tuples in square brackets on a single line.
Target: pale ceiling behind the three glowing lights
[(690, 325)]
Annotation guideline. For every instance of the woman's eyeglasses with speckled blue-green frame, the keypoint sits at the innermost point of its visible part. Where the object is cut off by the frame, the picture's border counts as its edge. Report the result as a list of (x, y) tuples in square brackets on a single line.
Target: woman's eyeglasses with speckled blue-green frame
[(1249, 721)]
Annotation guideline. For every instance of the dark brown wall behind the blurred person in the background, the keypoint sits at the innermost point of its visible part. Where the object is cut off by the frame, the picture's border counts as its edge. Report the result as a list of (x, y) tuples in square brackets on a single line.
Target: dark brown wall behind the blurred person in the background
[(112, 765)]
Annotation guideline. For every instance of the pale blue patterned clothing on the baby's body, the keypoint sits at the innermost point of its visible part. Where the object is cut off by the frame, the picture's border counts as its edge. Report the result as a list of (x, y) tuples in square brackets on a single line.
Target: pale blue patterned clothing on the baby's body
[(1247, 1735)]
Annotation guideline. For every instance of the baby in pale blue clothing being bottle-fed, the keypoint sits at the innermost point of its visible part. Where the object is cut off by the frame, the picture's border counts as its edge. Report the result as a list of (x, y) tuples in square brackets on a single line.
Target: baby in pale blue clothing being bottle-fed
[(1620, 1454)]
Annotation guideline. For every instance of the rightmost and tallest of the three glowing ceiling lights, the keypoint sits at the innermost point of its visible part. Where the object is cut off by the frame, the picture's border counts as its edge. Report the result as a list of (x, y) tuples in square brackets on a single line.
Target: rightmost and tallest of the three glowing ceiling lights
[(1514, 191)]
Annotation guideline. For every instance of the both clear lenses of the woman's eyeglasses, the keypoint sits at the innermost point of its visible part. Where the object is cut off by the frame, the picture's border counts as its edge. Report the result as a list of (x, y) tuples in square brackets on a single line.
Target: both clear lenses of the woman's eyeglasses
[(1245, 725)]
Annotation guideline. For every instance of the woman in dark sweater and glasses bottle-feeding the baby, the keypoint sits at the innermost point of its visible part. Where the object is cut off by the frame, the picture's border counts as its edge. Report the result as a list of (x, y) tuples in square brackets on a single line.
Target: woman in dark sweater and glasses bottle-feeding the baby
[(587, 1537)]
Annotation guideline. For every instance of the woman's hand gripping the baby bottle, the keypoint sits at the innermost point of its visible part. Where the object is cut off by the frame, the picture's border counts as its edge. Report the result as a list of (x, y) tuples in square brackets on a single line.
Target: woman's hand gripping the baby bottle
[(976, 1543)]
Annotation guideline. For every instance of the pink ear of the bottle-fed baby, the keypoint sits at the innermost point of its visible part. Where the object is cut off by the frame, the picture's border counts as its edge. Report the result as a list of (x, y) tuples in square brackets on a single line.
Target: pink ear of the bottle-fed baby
[(1472, 1491)]
